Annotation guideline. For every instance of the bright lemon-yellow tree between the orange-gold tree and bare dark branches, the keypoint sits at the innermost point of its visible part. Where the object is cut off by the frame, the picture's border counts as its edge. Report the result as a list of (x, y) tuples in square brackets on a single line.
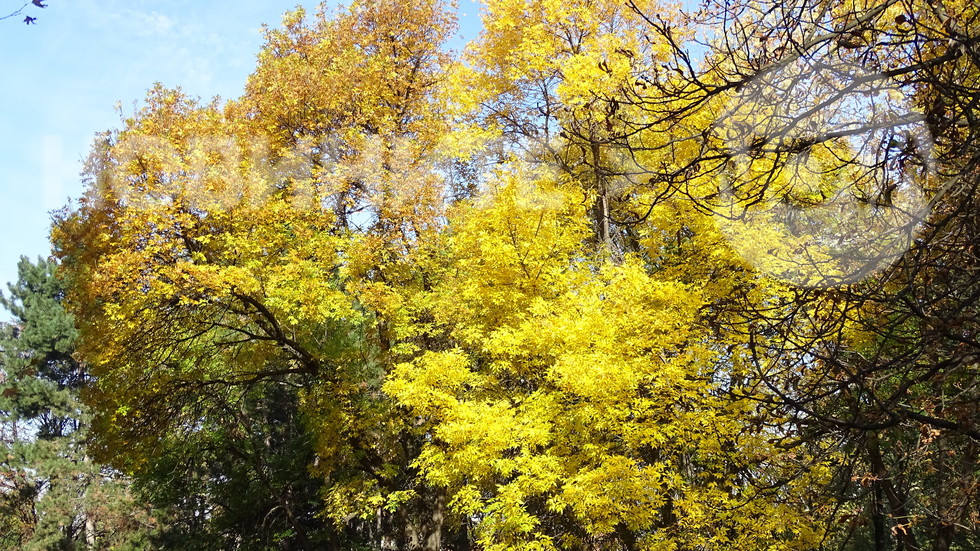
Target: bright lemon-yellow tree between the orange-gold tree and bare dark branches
[(545, 279)]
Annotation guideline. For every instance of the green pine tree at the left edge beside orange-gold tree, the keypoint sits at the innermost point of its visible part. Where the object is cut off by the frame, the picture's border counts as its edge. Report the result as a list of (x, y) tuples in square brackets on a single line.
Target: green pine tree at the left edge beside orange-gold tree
[(53, 496)]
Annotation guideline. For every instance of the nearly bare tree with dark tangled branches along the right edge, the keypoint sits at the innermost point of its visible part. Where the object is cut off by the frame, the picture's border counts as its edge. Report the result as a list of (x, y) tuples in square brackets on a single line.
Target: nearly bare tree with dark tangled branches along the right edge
[(842, 158)]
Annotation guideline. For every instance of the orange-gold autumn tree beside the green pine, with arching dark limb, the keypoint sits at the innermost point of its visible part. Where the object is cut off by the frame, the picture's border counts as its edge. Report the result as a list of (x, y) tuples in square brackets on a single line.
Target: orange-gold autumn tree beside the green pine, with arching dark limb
[(241, 247)]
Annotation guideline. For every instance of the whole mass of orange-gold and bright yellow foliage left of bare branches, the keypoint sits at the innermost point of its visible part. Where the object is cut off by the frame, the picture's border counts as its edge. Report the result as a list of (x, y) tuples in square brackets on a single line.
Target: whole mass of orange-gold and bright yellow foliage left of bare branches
[(562, 389)]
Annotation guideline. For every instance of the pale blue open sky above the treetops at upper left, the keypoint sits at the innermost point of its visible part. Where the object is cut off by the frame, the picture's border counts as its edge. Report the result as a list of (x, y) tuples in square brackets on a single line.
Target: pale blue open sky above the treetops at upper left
[(63, 77)]
